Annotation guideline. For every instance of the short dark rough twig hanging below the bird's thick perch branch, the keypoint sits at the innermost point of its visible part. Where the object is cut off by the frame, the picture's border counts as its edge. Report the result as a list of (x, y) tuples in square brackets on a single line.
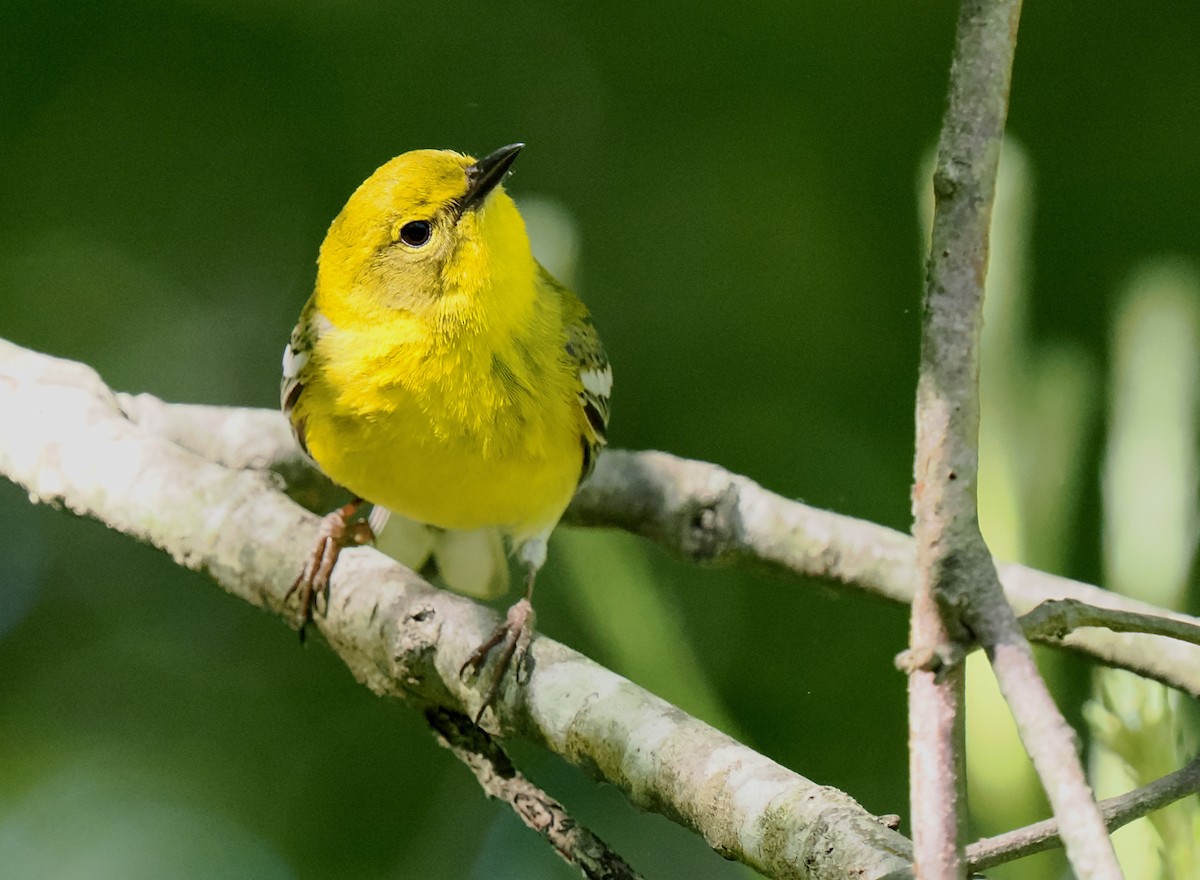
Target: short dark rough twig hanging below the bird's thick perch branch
[(501, 780)]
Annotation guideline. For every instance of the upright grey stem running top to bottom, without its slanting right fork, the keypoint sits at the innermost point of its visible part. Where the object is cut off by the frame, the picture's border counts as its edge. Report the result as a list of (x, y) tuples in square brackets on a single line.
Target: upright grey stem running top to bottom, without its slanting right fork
[(952, 559)]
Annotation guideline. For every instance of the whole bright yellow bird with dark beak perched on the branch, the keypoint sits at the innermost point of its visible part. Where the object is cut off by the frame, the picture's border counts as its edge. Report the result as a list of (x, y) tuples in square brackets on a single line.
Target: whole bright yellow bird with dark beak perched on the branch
[(440, 373)]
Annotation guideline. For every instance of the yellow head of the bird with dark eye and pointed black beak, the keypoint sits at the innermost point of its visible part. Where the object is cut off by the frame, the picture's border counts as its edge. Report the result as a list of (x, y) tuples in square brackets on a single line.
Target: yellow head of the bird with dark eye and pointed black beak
[(427, 228)]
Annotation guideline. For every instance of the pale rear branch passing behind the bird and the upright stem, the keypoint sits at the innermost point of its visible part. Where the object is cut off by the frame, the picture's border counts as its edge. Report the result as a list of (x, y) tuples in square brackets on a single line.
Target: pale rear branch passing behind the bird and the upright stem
[(709, 516)]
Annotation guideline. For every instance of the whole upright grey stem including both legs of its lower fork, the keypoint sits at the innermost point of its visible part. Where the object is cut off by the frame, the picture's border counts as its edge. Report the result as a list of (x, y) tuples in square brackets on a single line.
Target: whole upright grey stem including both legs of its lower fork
[(961, 596)]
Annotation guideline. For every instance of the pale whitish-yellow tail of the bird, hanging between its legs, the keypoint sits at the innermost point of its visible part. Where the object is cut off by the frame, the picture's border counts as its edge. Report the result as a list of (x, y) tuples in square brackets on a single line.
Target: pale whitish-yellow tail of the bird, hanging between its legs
[(469, 562)]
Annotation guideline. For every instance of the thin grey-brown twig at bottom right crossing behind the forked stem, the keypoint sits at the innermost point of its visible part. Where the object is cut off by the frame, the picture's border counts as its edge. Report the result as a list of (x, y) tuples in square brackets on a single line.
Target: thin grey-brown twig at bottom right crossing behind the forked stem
[(1117, 811)]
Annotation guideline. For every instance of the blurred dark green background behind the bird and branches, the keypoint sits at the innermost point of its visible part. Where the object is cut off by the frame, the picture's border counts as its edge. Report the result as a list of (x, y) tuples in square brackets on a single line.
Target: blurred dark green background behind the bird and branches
[(741, 187)]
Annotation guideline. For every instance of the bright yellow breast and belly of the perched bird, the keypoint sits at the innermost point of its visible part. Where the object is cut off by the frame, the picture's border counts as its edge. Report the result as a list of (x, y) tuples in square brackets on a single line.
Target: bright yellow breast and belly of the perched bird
[(461, 434)]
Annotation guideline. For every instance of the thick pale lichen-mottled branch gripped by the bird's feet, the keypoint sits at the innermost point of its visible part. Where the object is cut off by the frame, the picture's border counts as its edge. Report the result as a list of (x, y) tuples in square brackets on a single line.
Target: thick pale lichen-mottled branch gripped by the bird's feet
[(77, 450)]
